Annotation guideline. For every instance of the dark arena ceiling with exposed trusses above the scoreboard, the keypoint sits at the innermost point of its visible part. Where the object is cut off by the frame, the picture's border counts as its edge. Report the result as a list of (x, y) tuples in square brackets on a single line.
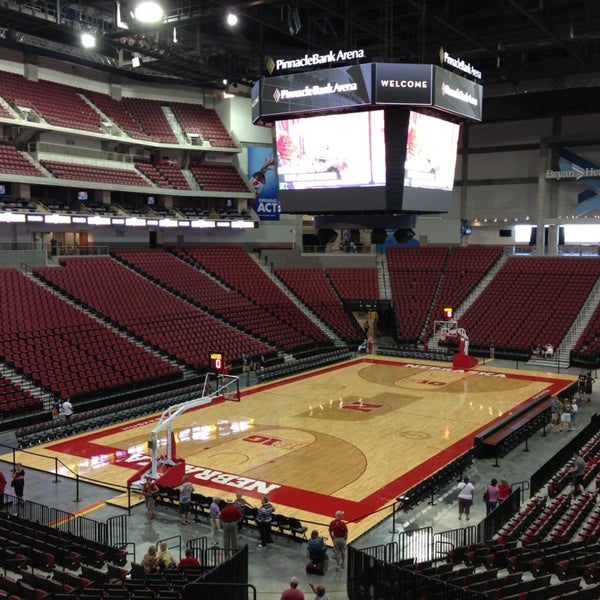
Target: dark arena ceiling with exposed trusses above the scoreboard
[(518, 45)]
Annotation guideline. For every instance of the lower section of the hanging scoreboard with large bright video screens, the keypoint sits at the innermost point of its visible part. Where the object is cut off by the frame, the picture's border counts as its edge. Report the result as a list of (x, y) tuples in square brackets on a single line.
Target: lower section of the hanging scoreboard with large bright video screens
[(384, 160)]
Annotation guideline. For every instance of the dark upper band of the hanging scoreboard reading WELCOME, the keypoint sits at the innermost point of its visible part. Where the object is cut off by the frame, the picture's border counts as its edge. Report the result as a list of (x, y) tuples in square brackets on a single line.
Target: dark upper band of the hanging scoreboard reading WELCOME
[(365, 86)]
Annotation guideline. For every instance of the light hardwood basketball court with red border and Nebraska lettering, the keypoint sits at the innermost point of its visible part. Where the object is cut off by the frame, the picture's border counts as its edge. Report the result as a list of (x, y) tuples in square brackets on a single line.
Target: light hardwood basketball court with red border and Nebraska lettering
[(350, 437)]
